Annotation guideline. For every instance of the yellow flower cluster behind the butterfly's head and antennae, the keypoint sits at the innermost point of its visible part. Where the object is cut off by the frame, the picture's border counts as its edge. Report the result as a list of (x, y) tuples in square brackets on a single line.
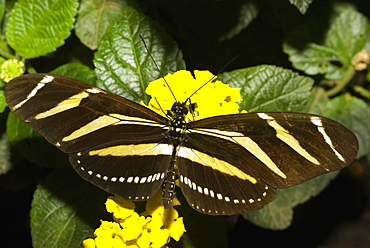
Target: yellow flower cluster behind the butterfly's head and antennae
[(211, 97)]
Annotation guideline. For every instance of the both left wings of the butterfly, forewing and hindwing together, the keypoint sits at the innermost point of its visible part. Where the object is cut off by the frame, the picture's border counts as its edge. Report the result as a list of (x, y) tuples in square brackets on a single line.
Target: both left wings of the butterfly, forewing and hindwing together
[(101, 131)]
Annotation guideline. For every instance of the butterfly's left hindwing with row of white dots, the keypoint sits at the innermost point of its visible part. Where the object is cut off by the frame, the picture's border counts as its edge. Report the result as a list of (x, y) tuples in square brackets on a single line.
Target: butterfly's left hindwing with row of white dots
[(129, 176)]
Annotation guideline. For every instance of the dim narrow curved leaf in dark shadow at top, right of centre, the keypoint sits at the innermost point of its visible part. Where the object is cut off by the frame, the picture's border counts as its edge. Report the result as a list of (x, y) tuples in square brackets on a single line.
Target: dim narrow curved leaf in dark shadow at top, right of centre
[(247, 13)]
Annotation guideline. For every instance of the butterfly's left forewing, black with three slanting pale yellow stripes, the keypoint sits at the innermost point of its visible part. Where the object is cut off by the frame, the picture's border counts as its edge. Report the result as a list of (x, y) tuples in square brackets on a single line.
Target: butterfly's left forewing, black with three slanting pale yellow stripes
[(65, 111)]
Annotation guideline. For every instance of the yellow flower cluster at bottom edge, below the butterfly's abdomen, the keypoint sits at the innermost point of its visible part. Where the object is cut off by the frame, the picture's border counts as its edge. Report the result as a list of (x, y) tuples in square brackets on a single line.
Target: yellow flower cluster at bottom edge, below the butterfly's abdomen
[(153, 228)]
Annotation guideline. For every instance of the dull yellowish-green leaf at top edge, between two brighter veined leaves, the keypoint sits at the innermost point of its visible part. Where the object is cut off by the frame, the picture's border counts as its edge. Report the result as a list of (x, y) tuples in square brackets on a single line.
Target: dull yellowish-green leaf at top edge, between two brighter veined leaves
[(94, 16)]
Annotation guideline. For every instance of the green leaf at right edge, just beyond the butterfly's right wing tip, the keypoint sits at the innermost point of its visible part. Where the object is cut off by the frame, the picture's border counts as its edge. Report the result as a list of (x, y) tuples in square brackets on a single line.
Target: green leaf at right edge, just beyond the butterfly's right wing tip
[(353, 113)]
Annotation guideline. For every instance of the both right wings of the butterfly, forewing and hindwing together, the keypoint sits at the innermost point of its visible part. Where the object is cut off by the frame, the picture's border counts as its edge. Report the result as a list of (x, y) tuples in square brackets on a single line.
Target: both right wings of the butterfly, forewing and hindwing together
[(234, 163)]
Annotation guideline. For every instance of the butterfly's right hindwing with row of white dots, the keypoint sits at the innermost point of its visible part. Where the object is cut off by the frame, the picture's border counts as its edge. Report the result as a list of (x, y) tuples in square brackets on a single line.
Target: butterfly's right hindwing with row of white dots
[(215, 192)]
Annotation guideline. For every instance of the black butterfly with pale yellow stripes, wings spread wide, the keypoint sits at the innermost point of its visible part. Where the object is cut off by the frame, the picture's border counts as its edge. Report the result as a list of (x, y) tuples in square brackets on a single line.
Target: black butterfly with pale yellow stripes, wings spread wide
[(226, 164)]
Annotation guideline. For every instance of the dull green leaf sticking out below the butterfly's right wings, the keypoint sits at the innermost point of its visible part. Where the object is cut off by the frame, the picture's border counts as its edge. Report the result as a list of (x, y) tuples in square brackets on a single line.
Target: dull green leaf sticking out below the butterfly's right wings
[(278, 215)]
